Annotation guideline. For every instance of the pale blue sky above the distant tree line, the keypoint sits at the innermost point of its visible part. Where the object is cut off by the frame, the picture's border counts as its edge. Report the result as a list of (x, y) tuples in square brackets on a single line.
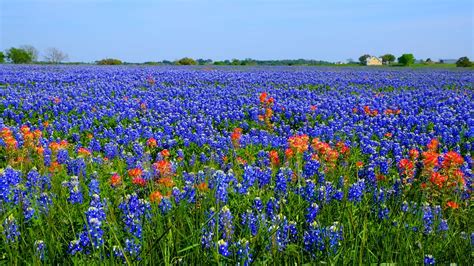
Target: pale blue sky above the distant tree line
[(332, 30)]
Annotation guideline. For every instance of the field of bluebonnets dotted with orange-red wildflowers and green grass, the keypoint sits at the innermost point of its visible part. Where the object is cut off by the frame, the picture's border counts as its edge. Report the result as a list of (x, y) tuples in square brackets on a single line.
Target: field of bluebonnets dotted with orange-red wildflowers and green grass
[(143, 165)]
